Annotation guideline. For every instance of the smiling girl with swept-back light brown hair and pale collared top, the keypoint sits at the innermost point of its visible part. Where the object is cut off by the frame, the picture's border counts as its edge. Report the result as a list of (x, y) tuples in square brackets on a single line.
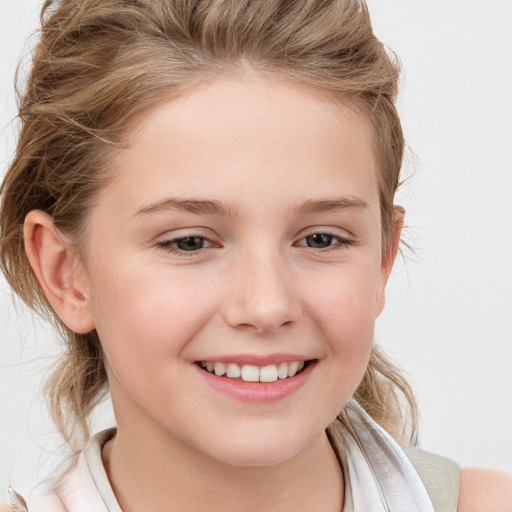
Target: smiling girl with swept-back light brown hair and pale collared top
[(202, 200)]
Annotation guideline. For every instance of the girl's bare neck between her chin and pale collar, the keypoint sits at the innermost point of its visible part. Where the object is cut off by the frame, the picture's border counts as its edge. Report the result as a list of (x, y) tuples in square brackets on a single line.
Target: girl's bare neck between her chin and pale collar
[(163, 474)]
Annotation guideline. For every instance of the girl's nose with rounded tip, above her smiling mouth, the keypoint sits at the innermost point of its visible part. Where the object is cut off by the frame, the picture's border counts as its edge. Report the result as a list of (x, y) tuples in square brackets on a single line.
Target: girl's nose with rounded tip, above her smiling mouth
[(261, 295)]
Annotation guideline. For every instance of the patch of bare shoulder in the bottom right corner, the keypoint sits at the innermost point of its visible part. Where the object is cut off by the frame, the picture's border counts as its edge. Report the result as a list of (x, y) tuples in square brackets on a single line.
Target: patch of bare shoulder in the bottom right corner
[(484, 490)]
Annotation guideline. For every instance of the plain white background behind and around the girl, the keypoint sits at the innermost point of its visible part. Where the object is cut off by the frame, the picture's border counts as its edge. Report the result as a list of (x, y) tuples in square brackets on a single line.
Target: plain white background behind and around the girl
[(448, 318)]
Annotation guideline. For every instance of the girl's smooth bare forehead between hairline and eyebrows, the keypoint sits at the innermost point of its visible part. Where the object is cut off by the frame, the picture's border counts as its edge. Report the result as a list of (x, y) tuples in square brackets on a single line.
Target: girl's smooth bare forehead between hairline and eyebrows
[(232, 136)]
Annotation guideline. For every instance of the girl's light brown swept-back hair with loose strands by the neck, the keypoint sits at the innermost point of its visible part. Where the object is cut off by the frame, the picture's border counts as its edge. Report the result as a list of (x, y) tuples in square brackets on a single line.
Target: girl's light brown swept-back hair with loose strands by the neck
[(101, 63)]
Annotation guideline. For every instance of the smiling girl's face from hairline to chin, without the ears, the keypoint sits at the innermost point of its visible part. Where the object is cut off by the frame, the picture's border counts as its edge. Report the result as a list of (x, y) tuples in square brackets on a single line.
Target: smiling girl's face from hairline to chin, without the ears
[(241, 234)]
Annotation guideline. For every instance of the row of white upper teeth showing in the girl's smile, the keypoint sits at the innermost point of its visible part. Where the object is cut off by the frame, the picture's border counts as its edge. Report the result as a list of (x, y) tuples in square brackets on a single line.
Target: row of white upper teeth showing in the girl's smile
[(253, 373)]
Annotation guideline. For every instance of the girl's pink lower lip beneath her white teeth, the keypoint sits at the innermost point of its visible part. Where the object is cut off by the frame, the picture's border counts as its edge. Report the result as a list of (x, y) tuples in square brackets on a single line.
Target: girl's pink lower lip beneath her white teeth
[(258, 392)]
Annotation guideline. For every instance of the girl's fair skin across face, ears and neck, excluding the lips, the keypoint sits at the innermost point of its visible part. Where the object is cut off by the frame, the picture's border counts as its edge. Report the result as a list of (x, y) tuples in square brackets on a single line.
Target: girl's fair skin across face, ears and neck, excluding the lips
[(257, 286)]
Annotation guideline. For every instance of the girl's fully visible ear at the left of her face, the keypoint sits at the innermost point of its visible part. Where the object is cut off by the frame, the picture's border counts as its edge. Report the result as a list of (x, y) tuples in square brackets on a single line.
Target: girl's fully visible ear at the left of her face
[(57, 268)]
